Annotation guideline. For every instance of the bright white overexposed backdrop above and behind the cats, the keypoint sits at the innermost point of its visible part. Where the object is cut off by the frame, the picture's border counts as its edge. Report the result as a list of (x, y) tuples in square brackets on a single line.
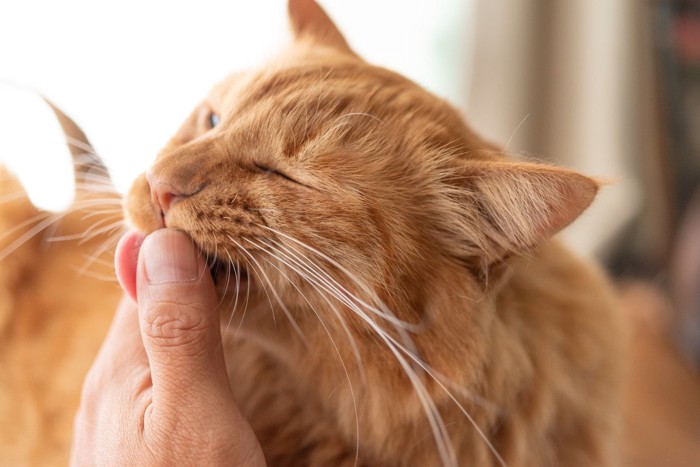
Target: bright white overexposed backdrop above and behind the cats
[(128, 72)]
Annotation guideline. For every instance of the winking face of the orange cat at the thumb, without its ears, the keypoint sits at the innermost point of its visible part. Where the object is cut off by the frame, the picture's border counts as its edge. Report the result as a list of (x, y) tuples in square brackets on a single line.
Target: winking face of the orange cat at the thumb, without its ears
[(318, 153)]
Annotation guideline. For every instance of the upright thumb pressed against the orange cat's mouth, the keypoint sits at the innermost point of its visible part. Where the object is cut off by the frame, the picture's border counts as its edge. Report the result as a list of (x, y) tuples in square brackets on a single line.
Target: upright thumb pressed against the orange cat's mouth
[(178, 320)]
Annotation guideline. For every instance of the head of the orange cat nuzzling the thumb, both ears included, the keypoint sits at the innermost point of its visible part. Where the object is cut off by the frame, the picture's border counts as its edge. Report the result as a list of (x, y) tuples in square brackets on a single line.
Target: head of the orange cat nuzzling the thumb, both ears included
[(322, 164)]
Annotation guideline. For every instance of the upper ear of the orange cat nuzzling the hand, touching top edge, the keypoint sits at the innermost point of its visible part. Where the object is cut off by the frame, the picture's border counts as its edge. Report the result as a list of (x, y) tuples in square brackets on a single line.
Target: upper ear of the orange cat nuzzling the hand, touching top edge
[(309, 20)]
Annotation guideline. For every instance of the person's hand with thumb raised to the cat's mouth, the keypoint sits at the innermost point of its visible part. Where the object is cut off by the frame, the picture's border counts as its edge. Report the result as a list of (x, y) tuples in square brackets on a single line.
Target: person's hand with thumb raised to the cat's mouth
[(158, 392)]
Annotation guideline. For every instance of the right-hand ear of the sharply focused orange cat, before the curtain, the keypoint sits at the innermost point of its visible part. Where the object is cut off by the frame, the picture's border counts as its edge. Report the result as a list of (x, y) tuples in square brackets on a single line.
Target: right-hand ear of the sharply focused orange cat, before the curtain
[(519, 205)]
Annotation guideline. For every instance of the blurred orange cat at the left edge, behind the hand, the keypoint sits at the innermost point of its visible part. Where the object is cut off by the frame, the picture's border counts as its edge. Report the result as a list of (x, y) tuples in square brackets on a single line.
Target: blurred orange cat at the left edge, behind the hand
[(57, 298)]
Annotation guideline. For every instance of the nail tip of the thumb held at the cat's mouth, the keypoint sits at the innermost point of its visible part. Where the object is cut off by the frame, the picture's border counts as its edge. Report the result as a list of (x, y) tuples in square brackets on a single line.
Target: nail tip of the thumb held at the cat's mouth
[(169, 256)]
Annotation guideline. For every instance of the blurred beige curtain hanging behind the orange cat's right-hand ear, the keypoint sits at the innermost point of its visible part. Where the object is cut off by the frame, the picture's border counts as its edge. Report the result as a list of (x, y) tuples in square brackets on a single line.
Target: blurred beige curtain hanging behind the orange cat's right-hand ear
[(571, 82)]
